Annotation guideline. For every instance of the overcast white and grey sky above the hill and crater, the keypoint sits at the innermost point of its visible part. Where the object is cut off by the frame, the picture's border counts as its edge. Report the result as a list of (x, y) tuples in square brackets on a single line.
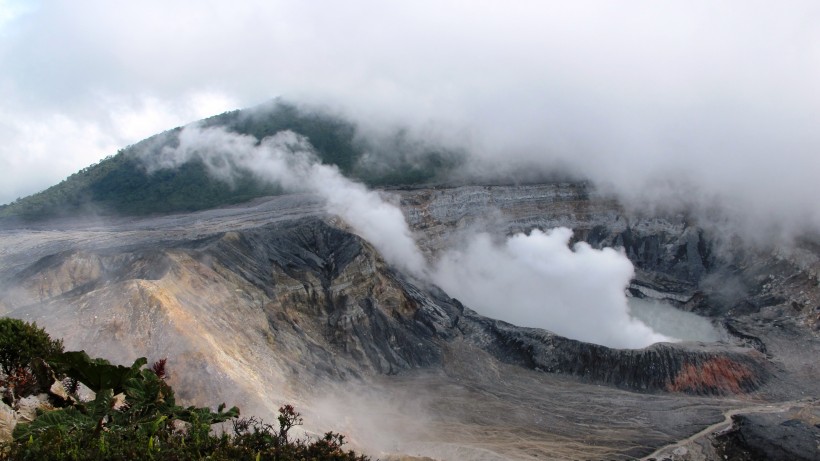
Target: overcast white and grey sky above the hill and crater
[(693, 101)]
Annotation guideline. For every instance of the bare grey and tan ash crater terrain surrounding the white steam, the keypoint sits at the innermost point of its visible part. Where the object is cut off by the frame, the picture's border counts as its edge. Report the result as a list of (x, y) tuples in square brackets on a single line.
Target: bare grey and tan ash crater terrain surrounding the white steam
[(277, 301)]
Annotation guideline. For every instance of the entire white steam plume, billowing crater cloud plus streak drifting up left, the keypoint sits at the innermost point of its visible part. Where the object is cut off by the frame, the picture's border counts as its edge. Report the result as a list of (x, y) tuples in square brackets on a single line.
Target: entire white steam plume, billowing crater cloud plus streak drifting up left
[(533, 280)]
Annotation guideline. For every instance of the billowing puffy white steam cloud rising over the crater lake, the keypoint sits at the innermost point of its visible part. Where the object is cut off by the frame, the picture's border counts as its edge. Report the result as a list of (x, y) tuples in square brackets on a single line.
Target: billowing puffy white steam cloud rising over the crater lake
[(536, 280)]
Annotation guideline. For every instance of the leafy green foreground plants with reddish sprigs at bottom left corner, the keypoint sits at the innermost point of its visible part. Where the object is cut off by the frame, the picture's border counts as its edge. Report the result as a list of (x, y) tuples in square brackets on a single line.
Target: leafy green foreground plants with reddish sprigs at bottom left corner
[(134, 416)]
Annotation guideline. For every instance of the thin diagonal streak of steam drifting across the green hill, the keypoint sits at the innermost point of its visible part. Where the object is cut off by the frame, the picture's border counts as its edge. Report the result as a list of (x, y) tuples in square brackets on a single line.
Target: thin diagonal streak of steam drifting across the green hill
[(287, 159)]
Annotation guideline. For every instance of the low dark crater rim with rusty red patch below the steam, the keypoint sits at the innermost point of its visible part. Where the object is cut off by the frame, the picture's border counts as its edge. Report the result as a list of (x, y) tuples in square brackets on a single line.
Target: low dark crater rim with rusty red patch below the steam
[(690, 368)]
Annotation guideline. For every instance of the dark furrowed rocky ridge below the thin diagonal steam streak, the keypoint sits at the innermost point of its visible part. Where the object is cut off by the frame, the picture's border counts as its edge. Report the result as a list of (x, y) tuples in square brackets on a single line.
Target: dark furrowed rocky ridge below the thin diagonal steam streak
[(321, 279)]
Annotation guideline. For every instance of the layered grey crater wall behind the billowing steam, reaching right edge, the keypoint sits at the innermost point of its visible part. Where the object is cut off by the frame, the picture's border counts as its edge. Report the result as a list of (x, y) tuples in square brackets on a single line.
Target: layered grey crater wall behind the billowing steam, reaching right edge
[(677, 261)]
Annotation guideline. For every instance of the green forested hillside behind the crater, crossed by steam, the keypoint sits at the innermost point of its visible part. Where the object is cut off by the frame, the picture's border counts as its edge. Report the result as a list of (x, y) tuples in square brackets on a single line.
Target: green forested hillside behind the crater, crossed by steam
[(121, 184)]
